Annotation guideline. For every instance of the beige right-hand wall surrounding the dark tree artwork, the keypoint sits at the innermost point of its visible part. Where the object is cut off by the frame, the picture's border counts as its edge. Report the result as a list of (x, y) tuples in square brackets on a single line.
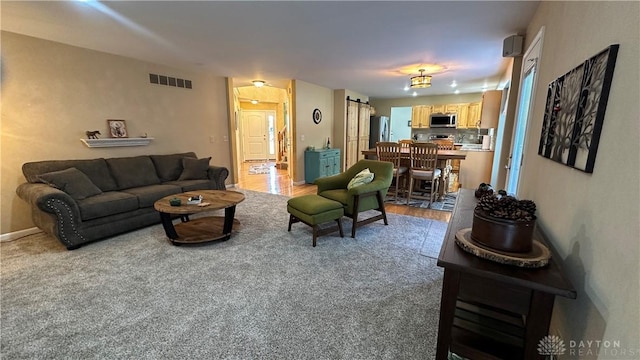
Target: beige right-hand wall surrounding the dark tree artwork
[(593, 219)]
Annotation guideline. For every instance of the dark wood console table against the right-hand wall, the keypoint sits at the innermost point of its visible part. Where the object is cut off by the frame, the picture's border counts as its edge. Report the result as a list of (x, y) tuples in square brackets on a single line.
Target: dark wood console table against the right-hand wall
[(490, 310)]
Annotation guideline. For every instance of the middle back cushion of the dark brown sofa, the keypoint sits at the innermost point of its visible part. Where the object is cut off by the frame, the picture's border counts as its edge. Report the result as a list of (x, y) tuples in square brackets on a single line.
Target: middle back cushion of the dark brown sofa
[(131, 172)]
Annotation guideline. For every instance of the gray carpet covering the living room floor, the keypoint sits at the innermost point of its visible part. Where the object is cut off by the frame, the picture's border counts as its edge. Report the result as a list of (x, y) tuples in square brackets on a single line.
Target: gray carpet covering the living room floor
[(264, 294)]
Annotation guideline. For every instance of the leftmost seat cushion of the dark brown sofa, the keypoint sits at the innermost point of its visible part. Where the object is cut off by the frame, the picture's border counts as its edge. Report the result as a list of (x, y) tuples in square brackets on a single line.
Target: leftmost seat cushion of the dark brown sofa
[(107, 203)]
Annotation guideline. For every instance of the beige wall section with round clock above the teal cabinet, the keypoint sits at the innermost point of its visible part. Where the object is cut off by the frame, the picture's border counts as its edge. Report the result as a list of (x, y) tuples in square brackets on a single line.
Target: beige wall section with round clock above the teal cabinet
[(309, 97)]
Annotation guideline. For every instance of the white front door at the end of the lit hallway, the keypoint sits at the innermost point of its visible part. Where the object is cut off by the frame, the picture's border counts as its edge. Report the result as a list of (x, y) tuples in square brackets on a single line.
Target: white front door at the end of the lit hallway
[(255, 135)]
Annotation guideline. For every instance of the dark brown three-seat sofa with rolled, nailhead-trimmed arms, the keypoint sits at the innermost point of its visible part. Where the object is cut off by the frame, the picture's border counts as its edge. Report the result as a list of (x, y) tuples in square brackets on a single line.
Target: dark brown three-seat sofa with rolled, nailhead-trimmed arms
[(80, 201)]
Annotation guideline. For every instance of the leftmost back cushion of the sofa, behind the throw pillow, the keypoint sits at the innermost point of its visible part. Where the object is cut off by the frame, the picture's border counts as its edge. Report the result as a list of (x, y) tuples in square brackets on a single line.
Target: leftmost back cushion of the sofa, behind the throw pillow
[(96, 169)]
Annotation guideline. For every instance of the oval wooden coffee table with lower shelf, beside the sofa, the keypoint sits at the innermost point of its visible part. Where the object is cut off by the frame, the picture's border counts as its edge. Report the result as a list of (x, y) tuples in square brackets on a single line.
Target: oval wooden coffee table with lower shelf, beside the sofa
[(204, 229)]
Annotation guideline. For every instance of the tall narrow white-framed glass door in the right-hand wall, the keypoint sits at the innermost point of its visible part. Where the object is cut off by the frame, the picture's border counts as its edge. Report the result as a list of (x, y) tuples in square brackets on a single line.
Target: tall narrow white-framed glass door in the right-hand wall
[(526, 94)]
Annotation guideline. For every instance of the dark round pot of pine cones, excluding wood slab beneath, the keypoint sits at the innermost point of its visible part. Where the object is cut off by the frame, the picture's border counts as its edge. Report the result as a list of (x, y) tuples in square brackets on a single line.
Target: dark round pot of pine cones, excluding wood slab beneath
[(504, 223)]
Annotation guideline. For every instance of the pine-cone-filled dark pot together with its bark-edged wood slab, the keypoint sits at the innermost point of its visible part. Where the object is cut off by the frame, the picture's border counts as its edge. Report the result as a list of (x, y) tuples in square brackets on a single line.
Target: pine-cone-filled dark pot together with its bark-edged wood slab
[(503, 231)]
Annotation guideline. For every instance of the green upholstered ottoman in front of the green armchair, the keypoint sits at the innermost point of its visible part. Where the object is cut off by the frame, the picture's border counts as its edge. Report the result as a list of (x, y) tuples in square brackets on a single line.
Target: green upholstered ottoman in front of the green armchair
[(314, 210)]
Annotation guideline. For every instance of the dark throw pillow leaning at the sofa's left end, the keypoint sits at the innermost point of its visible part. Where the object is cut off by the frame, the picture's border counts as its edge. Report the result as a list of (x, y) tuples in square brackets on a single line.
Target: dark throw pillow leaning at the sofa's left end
[(72, 181)]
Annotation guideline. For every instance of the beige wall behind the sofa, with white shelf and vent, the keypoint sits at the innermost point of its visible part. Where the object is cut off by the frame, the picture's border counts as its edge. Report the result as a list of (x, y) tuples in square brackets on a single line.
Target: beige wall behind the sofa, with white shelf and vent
[(52, 93)]
